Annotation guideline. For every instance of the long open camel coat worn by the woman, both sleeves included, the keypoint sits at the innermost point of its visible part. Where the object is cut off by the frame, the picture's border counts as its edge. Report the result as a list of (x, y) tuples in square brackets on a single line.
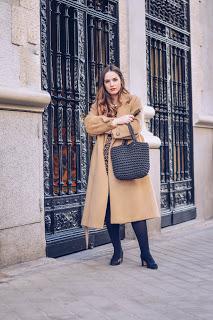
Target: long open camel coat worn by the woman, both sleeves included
[(130, 200)]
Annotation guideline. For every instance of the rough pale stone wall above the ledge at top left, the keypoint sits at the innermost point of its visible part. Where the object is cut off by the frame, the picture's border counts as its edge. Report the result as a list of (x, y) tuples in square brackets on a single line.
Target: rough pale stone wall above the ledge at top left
[(20, 43)]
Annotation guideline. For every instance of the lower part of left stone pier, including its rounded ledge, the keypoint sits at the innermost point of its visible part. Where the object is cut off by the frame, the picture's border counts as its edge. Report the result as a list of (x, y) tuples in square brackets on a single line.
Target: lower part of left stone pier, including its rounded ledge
[(22, 235)]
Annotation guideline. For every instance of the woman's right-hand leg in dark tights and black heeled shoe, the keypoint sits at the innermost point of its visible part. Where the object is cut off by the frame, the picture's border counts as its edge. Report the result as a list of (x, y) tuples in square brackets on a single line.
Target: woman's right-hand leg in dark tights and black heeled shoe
[(140, 229)]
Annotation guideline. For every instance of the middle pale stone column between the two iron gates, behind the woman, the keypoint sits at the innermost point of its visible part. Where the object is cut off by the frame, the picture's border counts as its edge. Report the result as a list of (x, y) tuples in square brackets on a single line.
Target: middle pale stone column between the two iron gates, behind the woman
[(136, 48)]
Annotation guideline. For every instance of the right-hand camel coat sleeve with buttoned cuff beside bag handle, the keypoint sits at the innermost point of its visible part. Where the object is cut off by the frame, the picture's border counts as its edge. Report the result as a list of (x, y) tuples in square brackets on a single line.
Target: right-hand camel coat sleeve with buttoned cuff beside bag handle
[(122, 131)]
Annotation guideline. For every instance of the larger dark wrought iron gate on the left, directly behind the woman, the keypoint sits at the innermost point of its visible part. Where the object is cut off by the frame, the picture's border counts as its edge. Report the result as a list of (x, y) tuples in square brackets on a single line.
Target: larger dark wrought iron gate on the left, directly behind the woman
[(79, 38)]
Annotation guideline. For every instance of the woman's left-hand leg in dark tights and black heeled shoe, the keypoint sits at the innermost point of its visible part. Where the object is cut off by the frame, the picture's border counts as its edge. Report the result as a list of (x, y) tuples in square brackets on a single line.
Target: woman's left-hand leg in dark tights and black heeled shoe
[(114, 233)]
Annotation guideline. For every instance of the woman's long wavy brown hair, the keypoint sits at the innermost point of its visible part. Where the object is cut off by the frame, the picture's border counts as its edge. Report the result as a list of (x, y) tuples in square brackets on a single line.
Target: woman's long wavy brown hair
[(103, 98)]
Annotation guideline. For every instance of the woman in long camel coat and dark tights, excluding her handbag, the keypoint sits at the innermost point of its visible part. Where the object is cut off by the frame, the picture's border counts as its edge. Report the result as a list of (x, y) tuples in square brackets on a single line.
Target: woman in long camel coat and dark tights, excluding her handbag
[(108, 199)]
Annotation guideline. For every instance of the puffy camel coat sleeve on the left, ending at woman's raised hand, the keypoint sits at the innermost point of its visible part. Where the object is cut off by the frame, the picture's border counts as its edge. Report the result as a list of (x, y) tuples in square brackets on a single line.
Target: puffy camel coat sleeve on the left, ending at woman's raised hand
[(96, 124)]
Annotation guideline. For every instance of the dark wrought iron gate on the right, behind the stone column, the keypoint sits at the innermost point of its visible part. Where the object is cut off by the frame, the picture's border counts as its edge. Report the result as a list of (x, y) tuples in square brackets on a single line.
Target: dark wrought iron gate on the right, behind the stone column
[(169, 92)]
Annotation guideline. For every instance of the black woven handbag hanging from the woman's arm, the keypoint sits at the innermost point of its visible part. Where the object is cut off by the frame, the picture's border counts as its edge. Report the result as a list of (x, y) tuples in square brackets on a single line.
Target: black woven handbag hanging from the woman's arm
[(130, 161)]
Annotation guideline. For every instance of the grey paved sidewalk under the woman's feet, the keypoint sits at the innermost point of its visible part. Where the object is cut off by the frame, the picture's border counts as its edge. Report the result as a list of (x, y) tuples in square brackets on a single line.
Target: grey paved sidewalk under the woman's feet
[(84, 286)]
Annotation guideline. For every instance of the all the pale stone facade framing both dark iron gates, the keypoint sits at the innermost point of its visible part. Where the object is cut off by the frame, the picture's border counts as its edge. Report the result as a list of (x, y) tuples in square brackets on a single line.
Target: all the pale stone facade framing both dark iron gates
[(22, 235)]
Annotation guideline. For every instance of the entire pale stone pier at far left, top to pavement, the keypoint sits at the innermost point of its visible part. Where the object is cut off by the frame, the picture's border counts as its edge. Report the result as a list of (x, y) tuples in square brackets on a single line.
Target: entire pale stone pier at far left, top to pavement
[(22, 235)]
